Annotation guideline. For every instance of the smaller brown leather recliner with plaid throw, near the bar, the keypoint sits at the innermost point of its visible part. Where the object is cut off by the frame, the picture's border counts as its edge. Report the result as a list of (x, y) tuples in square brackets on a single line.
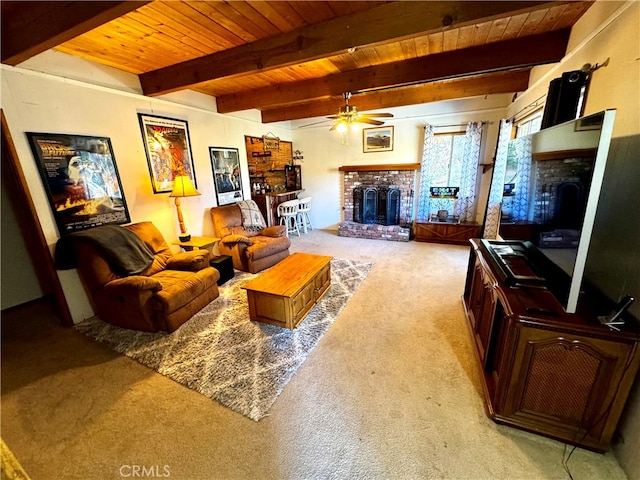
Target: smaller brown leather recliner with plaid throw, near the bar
[(251, 251)]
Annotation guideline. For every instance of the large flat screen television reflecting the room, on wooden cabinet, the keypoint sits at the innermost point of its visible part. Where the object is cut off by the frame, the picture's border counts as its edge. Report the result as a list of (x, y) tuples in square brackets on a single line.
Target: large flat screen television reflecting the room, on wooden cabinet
[(554, 180)]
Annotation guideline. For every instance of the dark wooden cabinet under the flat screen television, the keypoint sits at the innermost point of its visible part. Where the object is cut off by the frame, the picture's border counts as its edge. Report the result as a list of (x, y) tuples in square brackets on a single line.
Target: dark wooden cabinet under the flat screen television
[(564, 376)]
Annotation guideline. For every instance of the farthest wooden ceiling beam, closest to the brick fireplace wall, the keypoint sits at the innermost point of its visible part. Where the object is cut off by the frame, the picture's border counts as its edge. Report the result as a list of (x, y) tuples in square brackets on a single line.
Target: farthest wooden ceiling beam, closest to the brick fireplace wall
[(492, 83)]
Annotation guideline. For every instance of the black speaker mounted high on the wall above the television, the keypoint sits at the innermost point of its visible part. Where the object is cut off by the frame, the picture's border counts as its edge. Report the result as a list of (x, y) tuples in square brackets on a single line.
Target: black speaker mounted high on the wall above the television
[(563, 98)]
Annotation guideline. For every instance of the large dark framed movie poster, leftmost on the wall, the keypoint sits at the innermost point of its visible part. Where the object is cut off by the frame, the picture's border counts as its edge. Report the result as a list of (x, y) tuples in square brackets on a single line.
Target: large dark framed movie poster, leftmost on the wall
[(81, 179)]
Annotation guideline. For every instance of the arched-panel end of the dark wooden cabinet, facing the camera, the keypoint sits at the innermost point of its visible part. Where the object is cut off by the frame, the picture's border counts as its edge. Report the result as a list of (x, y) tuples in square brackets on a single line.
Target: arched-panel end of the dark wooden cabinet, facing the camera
[(565, 385)]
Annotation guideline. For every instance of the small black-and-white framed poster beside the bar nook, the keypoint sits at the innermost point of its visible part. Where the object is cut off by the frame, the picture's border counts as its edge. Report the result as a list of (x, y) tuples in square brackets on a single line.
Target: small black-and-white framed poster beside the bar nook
[(225, 163)]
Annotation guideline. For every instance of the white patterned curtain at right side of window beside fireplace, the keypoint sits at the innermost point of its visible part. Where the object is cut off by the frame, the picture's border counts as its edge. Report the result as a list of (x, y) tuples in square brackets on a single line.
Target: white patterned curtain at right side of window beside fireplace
[(466, 206)]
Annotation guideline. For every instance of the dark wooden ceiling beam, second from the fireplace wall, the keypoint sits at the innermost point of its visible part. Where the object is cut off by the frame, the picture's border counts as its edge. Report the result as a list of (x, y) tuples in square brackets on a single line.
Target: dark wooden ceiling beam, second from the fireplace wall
[(508, 54)]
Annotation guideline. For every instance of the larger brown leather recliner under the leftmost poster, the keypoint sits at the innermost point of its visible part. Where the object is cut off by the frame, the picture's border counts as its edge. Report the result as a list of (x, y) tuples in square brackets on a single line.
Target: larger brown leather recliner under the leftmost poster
[(161, 297)]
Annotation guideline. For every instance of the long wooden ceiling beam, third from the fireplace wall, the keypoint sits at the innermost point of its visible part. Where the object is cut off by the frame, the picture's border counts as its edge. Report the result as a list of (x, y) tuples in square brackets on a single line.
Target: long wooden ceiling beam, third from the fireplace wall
[(396, 20)]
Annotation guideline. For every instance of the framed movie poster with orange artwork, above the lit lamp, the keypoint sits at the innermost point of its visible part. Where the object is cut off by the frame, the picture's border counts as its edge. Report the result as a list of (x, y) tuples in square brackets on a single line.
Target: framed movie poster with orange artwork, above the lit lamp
[(168, 149)]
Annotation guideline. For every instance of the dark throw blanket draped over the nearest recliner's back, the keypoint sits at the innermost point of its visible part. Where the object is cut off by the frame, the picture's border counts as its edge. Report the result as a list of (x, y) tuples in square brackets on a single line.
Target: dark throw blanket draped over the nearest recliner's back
[(125, 252)]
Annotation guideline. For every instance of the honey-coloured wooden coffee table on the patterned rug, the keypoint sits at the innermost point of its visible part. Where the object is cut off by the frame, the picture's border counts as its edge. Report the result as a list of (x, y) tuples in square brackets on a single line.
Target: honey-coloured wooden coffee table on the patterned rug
[(284, 294)]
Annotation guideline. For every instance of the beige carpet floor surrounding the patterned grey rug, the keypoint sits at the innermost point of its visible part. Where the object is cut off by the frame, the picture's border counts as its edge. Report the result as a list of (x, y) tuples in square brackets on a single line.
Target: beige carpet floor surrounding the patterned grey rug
[(390, 392)]
